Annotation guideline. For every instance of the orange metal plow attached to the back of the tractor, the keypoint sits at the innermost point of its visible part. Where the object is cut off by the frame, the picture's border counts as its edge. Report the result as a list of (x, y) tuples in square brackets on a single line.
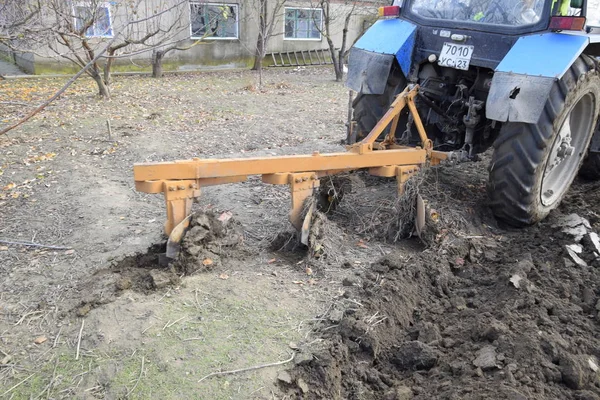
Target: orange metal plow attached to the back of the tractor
[(181, 181)]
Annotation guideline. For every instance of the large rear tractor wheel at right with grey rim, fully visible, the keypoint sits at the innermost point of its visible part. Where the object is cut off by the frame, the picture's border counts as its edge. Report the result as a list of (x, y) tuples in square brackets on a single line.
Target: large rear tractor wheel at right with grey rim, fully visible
[(531, 168)]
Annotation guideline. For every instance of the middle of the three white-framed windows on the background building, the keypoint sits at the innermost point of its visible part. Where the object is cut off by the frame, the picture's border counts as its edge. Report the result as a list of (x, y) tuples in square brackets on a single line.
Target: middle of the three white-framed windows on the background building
[(218, 21)]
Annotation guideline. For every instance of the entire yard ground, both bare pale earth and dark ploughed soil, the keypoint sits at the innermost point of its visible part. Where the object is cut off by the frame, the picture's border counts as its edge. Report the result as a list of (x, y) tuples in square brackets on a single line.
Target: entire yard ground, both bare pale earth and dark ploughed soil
[(474, 309)]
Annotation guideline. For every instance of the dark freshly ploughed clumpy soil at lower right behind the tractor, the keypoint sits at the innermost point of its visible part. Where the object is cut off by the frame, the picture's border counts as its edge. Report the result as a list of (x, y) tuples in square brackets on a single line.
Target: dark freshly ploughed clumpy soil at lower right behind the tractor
[(486, 313)]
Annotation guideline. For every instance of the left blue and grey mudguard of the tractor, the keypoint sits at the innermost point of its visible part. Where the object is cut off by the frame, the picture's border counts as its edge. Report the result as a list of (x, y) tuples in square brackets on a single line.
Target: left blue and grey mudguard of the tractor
[(372, 56)]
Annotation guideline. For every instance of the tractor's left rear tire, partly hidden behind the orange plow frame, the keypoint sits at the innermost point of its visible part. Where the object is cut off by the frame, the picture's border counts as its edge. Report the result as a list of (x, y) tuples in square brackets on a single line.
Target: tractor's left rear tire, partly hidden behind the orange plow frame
[(369, 108)]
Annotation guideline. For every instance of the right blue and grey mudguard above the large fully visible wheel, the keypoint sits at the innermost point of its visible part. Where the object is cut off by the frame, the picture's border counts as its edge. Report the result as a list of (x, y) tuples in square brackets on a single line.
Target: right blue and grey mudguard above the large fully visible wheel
[(523, 79)]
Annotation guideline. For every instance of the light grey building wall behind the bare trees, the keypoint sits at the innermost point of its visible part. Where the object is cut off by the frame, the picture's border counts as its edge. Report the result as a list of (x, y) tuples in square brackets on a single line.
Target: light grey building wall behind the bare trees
[(209, 53)]
